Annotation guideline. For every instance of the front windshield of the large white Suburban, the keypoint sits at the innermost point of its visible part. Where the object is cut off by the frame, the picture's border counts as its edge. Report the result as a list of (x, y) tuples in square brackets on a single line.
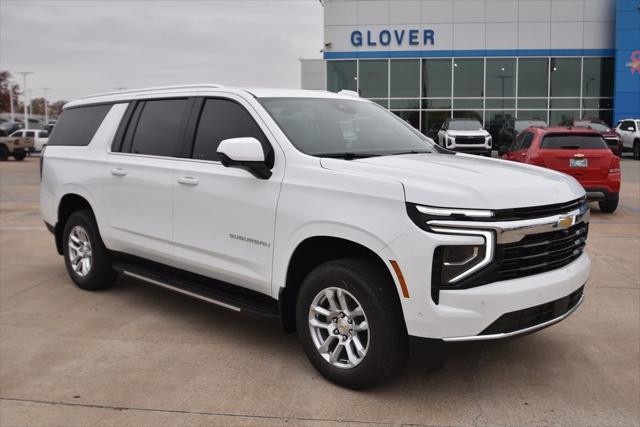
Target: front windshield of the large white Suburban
[(343, 128)]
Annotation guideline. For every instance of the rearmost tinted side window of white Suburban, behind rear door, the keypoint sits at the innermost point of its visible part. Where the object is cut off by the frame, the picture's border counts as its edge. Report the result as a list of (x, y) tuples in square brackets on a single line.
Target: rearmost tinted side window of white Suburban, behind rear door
[(76, 126)]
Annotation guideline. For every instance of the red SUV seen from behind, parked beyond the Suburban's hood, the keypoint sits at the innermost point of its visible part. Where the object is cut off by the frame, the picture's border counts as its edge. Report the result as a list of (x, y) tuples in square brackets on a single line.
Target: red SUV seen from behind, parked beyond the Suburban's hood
[(579, 152)]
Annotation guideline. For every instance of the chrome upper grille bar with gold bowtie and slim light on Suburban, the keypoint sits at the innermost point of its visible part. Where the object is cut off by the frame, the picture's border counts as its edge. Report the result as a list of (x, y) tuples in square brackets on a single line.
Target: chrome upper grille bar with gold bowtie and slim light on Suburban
[(514, 231)]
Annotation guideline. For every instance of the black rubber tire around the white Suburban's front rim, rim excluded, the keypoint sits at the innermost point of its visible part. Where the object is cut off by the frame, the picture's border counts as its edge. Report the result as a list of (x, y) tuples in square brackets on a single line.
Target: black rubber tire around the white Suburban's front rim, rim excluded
[(387, 340)]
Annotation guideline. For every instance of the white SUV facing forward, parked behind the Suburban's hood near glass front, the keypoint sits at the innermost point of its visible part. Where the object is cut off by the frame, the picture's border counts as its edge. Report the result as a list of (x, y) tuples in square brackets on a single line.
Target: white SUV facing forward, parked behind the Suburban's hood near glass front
[(465, 135)]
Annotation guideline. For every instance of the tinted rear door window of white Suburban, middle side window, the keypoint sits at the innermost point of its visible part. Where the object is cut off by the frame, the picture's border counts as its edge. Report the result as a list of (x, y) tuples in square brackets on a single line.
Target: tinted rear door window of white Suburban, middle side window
[(160, 129)]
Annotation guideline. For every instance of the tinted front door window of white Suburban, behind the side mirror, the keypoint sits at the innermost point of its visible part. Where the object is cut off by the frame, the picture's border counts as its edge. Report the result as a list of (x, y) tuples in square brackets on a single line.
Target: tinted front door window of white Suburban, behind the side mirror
[(223, 119)]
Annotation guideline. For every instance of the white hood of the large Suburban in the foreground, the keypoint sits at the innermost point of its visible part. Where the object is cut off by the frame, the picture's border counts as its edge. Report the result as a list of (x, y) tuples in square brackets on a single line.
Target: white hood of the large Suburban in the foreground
[(466, 181)]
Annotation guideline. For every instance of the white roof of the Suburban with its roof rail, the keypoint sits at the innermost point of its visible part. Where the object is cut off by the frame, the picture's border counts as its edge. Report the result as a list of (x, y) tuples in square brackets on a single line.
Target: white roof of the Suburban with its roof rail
[(202, 89)]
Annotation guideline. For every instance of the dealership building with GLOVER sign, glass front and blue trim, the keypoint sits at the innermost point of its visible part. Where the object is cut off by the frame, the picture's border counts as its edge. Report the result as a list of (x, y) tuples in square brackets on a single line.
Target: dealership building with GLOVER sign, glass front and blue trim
[(427, 60)]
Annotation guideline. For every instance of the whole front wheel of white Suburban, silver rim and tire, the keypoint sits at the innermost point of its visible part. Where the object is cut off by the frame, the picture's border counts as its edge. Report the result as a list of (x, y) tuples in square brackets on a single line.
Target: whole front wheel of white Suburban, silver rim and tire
[(350, 322)]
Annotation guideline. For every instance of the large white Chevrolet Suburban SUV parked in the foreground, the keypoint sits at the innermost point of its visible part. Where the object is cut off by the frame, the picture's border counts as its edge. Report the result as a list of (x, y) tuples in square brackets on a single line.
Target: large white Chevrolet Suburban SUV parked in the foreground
[(321, 209)]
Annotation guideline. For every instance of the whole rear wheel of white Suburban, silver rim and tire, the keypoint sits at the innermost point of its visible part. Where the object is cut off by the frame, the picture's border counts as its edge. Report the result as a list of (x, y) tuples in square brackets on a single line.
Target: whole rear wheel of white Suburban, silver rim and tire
[(87, 260)]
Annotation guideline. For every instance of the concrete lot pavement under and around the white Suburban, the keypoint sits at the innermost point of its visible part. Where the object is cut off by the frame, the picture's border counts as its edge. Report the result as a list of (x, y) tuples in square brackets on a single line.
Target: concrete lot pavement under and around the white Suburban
[(138, 355)]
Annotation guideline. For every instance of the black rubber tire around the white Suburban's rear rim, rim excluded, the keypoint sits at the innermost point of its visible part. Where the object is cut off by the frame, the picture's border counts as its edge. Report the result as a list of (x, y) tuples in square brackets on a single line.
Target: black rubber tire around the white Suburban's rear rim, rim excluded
[(100, 274)]
